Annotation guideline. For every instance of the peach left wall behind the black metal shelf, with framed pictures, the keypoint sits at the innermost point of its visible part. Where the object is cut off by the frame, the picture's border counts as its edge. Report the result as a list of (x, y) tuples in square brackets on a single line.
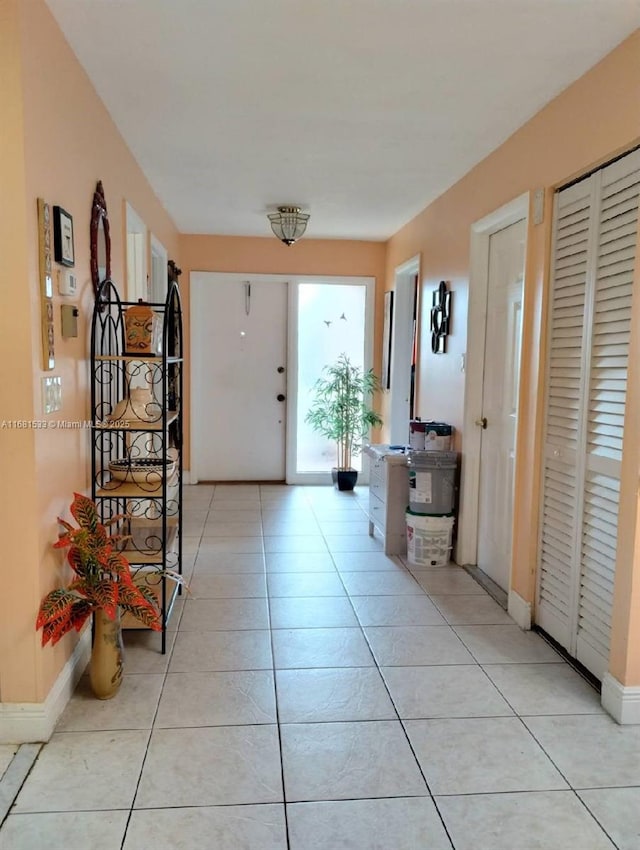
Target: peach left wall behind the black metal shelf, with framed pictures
[(69, 142)]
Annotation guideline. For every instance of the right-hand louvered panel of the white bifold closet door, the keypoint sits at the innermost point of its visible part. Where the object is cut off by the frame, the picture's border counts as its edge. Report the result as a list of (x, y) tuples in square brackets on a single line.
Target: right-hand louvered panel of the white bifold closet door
[(618, 201)]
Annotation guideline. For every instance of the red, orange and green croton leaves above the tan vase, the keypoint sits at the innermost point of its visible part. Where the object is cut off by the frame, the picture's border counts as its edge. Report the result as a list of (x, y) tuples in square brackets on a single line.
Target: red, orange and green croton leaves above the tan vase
[(102, 578)]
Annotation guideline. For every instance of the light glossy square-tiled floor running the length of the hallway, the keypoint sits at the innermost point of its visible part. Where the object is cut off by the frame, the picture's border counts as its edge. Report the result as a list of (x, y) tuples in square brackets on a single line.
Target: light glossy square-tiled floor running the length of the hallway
[(318, 695)]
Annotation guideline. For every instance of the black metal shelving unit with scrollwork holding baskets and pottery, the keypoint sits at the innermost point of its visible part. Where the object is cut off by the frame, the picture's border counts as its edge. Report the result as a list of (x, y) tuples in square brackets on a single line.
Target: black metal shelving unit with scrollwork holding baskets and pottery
[(150, 500)]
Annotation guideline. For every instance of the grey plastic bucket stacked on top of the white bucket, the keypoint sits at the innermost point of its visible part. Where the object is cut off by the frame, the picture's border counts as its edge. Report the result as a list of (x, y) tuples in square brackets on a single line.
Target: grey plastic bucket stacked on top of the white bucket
[(432, 482)]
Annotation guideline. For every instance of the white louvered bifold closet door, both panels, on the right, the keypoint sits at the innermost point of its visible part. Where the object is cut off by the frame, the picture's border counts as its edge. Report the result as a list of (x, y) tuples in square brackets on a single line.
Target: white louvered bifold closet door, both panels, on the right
[(595, 236)]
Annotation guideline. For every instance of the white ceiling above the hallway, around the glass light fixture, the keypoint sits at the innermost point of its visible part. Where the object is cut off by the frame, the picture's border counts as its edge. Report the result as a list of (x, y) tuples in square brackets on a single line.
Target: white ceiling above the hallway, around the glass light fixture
[(361, 111)]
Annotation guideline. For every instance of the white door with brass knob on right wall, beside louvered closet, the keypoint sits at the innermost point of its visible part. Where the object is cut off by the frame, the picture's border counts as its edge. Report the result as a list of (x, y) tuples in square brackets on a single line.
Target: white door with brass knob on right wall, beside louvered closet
[(500, 401)]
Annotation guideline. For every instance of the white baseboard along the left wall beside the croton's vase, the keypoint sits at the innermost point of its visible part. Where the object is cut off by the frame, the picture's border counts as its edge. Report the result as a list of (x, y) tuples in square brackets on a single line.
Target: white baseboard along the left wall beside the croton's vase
[(28, 722)]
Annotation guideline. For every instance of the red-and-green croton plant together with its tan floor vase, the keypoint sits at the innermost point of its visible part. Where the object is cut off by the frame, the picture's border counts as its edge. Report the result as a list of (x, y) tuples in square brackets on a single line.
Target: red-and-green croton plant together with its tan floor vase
[(102, 585)]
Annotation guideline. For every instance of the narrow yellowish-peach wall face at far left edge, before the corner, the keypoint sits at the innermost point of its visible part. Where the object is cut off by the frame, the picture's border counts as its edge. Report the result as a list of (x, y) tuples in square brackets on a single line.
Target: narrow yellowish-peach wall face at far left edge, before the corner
[(18, 497)]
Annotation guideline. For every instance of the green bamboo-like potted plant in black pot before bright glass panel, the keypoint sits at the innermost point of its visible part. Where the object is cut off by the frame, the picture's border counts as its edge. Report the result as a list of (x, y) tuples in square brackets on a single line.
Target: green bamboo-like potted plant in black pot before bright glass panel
[(341, 411)]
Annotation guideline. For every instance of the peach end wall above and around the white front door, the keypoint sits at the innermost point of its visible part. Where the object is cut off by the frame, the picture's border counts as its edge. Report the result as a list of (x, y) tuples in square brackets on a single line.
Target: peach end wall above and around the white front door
[(260, 255)]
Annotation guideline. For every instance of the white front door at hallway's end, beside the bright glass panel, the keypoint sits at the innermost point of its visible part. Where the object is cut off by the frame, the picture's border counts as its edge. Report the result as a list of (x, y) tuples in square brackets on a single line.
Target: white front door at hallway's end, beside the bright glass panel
[(239, 378)]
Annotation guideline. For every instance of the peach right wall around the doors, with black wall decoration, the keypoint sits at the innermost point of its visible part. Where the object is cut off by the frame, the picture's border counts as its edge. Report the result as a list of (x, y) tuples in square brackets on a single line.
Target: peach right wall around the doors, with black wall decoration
[(590, 122)]
